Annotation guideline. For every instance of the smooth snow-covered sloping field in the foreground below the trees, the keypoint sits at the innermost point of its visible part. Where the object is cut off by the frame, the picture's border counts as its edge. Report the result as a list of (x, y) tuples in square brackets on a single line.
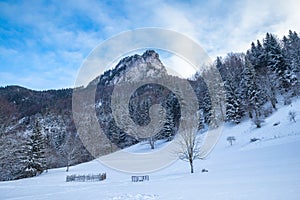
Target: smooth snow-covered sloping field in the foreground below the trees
[(266, 169)]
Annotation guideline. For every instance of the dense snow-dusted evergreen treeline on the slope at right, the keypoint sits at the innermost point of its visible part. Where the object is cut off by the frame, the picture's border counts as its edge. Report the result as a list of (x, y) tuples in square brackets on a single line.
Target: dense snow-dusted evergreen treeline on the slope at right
[(256, 80)]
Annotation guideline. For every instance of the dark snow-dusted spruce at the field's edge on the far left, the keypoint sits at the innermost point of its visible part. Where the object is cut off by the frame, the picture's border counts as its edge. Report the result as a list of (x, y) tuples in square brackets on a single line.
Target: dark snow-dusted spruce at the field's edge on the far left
[(33, 154)]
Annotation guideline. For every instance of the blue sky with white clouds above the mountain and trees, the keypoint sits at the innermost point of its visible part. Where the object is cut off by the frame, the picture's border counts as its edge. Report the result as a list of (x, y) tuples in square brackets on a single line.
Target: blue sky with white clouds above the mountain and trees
[(44, 43)]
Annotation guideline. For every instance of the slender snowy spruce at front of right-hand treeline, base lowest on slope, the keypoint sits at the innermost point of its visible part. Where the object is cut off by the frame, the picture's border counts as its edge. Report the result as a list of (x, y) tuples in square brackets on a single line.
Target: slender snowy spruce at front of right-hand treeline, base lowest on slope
[(251, 93)]
